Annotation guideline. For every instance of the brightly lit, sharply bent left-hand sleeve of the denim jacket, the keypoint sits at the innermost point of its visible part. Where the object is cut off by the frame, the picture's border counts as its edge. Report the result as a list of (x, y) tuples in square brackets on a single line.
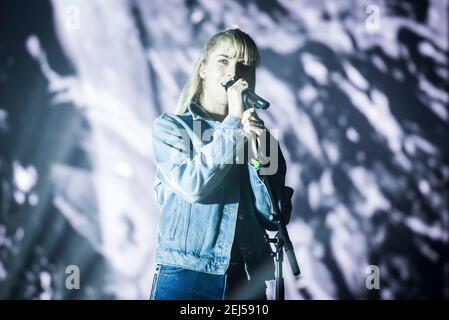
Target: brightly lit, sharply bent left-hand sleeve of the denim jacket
[(194, 172)]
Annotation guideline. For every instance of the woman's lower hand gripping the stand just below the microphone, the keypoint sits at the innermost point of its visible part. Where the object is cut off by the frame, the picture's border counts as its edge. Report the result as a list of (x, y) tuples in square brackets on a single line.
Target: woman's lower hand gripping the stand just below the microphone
[(255, 129)]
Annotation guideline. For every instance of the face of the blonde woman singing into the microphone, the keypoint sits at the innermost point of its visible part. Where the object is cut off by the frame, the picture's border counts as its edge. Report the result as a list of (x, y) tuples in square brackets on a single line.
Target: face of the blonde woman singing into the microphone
[(218, 68)]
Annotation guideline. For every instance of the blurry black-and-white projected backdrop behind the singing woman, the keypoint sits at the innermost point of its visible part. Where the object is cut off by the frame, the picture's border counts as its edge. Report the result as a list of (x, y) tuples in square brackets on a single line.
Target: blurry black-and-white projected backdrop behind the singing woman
[(358, 92)]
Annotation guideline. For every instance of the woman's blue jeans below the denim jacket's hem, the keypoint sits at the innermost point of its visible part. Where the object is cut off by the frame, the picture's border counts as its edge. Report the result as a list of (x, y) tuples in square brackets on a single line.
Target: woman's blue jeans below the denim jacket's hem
[(176, 283)]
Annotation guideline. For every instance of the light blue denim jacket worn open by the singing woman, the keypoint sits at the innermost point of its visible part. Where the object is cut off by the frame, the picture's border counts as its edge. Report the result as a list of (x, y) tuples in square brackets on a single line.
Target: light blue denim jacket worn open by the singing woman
[(206, 198)]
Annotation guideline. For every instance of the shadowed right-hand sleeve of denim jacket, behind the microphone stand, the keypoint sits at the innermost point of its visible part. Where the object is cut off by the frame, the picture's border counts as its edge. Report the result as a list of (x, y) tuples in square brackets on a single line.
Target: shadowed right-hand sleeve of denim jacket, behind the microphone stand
[(276, 179)]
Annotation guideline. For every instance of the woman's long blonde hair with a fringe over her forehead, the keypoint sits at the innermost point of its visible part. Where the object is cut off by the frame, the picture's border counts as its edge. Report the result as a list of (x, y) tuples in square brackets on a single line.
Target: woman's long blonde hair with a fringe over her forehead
[(243, 46)]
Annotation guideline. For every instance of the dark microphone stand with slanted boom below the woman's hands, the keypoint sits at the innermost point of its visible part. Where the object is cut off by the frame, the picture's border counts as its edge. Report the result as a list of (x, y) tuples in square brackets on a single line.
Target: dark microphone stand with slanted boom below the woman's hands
[(281, 241)]
